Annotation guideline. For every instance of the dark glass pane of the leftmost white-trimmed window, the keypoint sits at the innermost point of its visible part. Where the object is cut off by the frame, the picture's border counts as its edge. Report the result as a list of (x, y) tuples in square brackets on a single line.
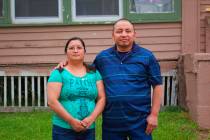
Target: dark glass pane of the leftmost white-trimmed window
[(36, 8)]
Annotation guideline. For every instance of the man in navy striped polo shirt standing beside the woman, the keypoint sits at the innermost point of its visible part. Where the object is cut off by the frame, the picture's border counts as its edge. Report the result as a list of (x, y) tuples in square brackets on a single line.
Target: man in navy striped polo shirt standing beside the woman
[(129, 71)]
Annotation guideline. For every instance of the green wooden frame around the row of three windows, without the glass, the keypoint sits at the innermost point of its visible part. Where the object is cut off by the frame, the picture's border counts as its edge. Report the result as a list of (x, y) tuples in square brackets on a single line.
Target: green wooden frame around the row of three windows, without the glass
[(66, 10)]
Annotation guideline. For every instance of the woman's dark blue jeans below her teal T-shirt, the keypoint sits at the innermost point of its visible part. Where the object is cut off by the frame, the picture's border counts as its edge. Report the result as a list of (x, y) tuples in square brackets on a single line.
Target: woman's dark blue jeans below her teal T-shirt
[(59, 133)]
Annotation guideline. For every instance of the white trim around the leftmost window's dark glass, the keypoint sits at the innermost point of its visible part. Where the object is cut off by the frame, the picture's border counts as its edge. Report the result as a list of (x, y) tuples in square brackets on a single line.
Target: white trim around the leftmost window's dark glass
[(24, 20)]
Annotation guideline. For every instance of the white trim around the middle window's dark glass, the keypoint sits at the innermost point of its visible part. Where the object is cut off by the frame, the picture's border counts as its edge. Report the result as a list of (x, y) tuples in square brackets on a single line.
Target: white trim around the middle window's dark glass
[(96, 18)]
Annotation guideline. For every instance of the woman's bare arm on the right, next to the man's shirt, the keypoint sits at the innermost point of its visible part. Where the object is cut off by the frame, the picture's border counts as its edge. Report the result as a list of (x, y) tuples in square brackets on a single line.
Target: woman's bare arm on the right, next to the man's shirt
[(99, 105)]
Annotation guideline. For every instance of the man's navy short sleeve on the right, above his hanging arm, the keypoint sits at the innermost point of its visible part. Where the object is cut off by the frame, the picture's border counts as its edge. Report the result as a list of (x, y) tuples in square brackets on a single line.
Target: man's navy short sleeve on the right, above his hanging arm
[(155, 77)]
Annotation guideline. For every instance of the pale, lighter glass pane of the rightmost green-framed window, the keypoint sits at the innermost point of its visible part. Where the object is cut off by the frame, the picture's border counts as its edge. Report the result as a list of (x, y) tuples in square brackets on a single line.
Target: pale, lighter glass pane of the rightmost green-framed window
[(151, 6)]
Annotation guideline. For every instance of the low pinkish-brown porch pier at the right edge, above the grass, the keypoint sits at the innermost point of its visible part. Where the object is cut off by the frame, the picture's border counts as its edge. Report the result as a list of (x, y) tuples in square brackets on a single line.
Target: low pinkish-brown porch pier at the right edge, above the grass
[(197, 70)]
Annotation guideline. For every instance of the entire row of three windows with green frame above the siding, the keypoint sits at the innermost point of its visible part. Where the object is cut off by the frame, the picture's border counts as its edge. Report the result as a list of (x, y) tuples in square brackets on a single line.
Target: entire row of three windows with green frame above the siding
[(60, 12)]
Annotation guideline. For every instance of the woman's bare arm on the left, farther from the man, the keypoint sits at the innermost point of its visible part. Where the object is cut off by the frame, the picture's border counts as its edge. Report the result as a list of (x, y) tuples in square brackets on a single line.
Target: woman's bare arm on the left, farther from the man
[(53, 91)]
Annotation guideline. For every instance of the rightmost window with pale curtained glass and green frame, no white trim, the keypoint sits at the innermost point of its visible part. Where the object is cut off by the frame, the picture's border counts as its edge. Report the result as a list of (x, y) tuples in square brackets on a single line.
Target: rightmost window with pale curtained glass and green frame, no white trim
[(154, 10)]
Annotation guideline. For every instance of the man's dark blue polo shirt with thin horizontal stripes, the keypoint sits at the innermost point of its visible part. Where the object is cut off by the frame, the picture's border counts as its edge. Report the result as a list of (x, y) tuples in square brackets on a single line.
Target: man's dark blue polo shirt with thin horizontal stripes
[(128, 82)]
